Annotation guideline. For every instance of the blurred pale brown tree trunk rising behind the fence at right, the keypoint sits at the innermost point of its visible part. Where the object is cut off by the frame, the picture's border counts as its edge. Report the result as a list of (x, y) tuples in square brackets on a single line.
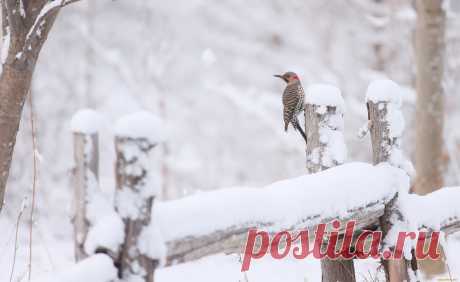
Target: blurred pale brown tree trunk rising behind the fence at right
[(429, 51)]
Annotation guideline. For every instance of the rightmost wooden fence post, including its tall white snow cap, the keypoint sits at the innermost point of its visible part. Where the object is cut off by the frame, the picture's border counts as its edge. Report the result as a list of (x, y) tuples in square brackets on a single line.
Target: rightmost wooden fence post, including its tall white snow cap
[(386, 124)]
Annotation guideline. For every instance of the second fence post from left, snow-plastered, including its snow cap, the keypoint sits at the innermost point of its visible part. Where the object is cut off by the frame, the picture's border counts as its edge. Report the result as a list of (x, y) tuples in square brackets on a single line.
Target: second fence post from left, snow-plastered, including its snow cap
[(136, 135)]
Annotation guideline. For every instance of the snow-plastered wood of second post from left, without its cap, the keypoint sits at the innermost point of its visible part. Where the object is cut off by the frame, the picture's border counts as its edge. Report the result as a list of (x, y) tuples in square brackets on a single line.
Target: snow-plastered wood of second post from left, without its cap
[(134, 200)]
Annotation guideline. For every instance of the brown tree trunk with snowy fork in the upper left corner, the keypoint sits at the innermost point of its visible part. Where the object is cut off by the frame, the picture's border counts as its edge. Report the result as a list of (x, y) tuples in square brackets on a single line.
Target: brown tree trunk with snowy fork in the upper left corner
[(24, 36)]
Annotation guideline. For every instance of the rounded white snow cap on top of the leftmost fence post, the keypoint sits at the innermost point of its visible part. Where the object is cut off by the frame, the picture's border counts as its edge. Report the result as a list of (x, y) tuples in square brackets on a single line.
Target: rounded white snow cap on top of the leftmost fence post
[(86, 121)]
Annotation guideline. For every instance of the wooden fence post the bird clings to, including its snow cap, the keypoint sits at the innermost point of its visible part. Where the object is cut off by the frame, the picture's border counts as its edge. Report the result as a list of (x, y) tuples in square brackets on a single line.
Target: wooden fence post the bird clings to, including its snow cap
[(326, 148)]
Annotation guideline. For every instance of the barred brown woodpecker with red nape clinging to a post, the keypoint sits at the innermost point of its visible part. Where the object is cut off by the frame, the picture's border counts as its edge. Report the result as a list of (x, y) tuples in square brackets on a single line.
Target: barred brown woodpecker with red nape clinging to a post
[(293, 101)]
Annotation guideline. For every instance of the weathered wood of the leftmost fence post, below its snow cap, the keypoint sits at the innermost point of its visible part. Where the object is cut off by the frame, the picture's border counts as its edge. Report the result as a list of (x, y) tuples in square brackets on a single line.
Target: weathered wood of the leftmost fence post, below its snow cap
[(85, 173)]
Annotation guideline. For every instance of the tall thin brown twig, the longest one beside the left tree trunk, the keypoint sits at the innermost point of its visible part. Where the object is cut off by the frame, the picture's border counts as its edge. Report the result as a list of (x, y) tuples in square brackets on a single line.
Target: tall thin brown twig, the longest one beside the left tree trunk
[(34, 183)]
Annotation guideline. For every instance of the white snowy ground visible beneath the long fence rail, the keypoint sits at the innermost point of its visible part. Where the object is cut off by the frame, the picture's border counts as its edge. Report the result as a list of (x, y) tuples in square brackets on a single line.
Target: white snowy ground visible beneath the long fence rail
[(226, 268)]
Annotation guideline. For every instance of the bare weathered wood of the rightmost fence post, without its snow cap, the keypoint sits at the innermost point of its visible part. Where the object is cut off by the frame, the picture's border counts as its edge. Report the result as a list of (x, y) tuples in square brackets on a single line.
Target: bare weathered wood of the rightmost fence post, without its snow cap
[(383, 144)]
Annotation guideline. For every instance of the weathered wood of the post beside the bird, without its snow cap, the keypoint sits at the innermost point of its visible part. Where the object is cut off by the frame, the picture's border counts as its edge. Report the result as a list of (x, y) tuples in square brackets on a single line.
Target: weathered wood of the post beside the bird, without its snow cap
[(318, 119)]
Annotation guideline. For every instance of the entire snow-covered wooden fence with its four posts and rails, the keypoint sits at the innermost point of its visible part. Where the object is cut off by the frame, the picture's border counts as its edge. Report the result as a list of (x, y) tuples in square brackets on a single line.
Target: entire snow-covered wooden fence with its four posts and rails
[(138, 211)]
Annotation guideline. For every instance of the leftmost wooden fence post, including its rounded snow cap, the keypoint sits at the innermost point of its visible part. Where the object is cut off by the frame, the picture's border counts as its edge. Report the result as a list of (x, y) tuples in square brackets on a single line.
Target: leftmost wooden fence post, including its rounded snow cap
[(85, 173)]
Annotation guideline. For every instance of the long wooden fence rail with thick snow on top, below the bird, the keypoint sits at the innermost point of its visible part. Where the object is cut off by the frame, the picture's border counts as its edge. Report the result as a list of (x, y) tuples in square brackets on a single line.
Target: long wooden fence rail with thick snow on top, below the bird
[(196, 226)]
